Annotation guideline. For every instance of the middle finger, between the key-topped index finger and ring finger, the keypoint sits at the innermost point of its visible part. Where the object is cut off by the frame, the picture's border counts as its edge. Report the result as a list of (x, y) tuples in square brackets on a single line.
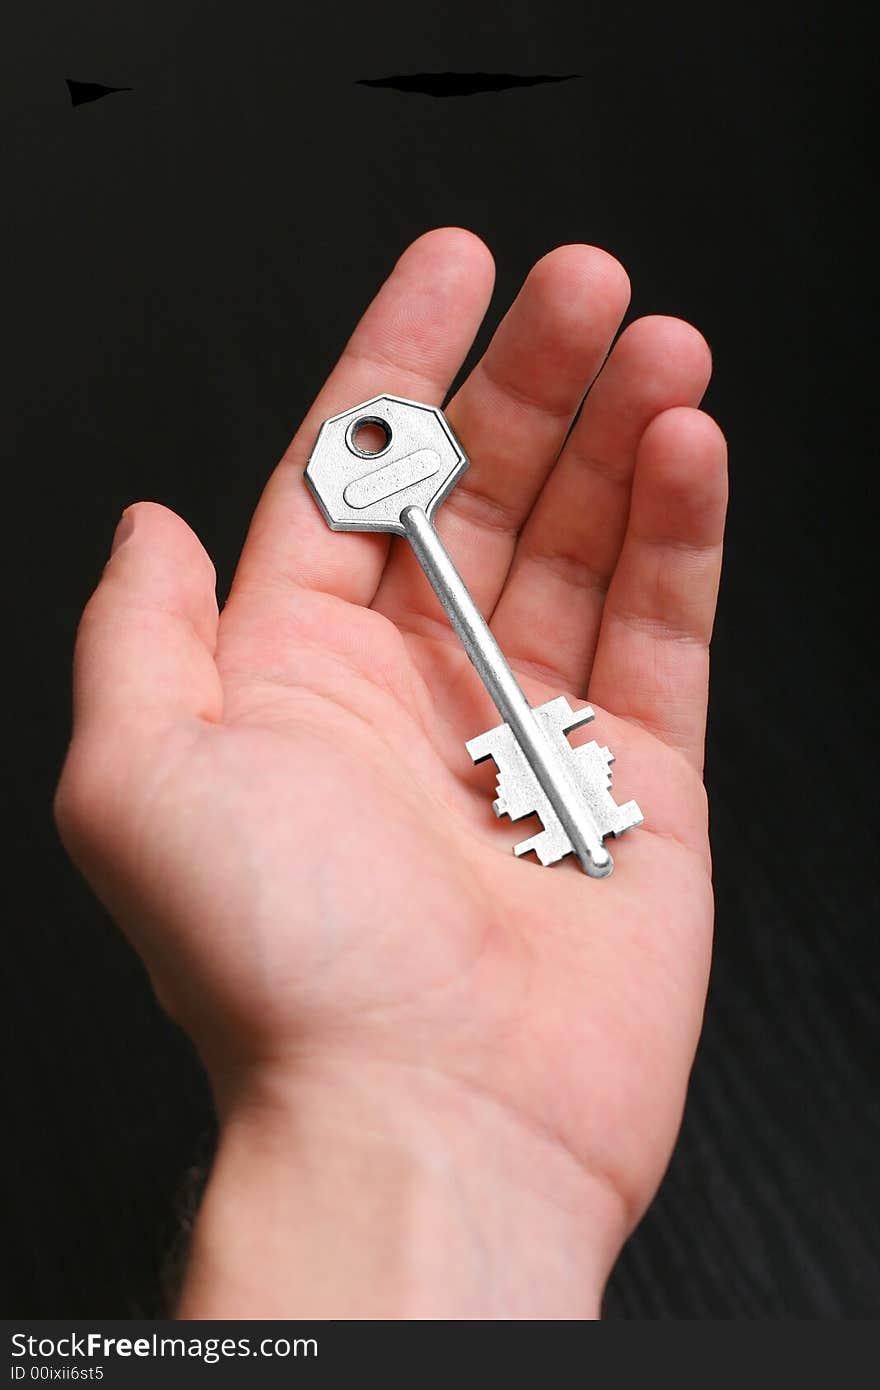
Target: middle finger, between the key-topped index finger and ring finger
[(514, 415)]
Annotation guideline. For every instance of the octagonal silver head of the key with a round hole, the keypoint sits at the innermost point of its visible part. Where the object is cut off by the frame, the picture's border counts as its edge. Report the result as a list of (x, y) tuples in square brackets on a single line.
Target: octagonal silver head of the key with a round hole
[(416, 465)]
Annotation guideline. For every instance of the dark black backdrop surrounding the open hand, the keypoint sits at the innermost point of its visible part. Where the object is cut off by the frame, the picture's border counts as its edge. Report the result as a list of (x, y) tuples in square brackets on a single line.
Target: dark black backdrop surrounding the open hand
[(183, 263)]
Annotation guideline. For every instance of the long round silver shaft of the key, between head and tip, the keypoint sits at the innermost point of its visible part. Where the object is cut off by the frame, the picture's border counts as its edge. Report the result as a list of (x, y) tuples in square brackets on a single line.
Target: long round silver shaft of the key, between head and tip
[(507, 694)]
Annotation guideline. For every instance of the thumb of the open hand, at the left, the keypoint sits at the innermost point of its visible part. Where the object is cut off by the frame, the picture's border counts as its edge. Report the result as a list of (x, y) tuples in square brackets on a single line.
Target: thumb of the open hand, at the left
[(144, 661)]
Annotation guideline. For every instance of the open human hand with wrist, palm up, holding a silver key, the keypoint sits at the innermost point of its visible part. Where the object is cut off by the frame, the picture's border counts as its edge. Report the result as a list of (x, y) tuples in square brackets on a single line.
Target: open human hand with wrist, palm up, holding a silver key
[(448, 1079)]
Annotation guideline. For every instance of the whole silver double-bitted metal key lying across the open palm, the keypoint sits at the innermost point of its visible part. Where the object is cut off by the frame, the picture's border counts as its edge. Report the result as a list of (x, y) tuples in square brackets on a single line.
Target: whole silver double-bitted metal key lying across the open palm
[(398, 489)]
